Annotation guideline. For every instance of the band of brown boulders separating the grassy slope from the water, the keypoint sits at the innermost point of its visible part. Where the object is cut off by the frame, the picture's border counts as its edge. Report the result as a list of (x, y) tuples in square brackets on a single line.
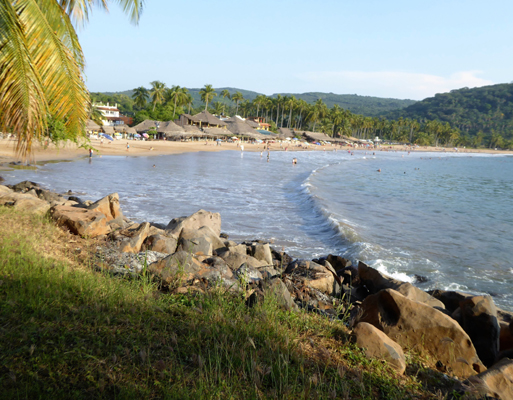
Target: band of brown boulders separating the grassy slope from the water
[(465, 335)]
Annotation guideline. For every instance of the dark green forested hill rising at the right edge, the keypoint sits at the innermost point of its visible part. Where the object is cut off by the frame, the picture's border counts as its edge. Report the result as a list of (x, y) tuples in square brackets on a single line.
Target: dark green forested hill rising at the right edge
[(487, 109)]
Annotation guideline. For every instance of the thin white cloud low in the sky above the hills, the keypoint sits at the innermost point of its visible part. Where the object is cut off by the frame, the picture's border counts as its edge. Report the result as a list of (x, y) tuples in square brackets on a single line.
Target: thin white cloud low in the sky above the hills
[(394, 84)]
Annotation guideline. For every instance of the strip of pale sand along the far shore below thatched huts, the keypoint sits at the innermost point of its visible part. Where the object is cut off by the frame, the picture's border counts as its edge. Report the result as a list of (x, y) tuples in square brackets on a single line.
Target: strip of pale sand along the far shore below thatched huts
[(71, 151)]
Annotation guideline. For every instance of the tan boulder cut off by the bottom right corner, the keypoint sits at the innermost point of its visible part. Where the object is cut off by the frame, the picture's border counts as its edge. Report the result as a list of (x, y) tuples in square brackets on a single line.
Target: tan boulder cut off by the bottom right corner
[(496, 382)]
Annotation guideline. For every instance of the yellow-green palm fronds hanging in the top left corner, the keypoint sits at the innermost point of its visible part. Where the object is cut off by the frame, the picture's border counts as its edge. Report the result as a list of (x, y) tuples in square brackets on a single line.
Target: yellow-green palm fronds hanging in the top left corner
[(41, 67)]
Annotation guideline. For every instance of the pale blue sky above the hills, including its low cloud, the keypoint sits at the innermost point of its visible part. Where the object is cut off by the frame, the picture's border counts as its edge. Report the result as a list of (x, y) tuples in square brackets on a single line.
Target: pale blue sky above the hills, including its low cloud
[(396, 49)]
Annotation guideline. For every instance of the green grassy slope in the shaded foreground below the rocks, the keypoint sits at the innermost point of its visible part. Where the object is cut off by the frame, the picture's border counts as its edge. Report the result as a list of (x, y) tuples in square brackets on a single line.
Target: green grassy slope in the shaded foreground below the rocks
[(70, 332)]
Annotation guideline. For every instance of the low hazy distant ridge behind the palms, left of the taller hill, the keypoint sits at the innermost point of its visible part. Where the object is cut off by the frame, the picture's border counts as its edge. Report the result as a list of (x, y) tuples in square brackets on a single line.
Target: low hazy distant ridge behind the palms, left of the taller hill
[(365, 105)]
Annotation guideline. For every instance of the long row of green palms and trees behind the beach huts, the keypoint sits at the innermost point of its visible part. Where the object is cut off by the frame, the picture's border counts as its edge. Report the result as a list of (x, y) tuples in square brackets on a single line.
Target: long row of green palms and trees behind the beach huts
[(162, 103)]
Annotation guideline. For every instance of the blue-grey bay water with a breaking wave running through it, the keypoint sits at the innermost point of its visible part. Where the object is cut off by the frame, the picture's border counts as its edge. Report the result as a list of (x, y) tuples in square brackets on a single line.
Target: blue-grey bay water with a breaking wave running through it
[(446, 217)]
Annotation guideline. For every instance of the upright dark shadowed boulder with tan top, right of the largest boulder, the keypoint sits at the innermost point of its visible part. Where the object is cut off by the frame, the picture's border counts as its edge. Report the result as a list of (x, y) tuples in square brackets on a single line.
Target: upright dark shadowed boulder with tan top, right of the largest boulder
[(479, 320)]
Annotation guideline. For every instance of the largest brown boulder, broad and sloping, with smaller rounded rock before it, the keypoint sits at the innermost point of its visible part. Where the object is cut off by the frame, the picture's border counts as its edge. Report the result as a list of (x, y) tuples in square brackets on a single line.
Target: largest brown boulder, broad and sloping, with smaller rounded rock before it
[(417, 326)]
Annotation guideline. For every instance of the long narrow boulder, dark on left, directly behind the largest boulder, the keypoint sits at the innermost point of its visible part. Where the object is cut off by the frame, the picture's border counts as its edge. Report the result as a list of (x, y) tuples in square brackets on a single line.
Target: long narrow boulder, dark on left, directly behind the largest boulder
[(376, 281)]
